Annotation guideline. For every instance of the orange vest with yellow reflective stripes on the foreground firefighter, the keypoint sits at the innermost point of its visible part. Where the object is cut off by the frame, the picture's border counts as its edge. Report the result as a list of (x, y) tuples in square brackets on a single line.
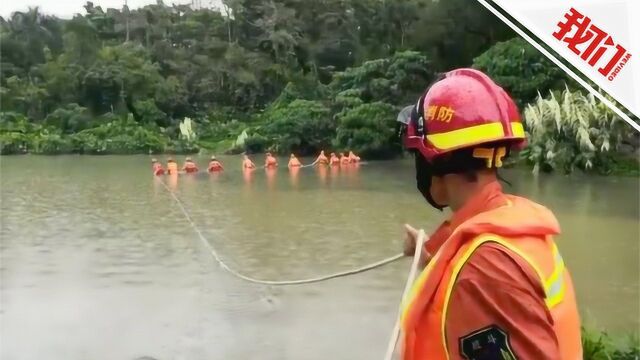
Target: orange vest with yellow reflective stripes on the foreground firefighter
[(525, 230)]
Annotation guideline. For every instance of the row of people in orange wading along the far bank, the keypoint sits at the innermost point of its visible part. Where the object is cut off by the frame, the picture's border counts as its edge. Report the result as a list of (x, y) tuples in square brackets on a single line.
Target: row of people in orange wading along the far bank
[(270, 162)]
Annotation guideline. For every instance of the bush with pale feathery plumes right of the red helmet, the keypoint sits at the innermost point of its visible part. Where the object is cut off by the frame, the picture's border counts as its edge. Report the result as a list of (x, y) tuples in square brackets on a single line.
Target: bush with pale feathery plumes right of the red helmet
[(572, 131)]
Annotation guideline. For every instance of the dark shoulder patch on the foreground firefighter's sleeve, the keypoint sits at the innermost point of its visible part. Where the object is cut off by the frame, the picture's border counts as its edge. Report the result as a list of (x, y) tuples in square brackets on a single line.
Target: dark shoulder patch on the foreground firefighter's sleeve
[(490, 343)]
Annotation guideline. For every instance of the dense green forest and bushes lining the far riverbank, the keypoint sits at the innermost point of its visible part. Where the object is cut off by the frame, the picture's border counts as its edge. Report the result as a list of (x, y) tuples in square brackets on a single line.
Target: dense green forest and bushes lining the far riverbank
[(279, 75)]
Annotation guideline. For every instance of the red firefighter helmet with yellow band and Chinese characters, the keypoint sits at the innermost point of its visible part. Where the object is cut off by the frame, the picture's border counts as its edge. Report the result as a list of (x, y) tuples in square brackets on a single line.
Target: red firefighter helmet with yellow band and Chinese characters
[(463, 110)]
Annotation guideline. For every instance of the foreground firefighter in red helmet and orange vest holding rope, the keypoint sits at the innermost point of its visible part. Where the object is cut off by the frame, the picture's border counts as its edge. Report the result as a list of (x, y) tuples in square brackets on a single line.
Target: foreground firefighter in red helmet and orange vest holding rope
[(496, 286)]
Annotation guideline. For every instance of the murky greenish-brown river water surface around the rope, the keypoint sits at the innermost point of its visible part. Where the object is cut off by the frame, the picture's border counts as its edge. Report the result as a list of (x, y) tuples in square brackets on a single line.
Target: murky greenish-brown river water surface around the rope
[(98, 262)]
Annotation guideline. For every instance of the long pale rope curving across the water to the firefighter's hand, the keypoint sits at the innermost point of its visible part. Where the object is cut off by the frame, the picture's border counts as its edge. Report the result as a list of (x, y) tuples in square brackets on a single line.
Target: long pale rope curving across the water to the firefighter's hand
[(235, 273)]
